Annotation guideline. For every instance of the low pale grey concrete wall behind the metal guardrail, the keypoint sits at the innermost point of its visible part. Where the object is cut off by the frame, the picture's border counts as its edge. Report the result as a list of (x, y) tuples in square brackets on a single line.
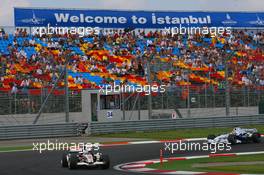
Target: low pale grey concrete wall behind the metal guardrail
[(118, 115)]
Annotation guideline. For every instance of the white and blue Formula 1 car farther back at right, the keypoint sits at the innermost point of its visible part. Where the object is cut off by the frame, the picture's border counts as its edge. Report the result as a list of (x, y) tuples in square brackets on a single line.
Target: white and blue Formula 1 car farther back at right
[(238, 135)]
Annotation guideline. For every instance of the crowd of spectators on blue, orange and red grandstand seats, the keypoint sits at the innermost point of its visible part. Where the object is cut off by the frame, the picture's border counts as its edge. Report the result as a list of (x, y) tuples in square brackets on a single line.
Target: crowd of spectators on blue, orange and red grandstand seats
[(29, 62)]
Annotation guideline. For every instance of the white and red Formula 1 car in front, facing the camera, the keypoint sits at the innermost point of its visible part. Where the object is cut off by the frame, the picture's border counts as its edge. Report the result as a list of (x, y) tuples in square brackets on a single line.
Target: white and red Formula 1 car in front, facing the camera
[(85, 156)]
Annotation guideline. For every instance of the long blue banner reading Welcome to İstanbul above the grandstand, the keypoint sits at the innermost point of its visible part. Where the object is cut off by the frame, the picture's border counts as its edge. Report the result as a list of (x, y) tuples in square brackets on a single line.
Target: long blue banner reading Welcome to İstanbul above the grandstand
[(134, 19)]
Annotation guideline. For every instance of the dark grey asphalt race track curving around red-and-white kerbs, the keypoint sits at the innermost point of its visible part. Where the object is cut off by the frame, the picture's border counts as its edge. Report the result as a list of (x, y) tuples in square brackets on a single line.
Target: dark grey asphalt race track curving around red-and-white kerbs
[(48, 163)]
